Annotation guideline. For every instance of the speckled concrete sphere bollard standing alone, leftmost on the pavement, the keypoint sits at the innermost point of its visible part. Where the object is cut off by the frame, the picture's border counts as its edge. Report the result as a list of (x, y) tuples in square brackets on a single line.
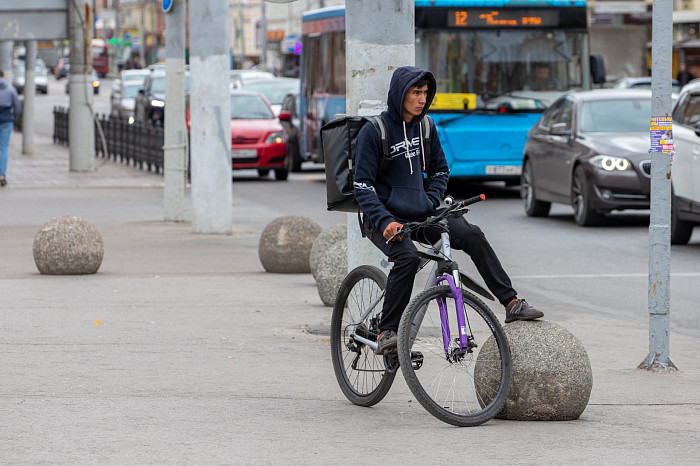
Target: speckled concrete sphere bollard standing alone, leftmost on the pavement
[(68, 245)]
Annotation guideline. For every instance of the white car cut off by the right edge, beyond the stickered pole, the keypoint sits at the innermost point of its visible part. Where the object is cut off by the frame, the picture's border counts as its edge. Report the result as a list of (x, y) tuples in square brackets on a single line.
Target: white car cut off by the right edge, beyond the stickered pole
[(685, 172)]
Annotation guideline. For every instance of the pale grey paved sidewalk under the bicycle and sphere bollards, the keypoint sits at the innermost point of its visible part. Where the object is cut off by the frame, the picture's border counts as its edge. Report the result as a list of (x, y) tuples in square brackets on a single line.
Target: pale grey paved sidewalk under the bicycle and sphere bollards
[(181, 349)]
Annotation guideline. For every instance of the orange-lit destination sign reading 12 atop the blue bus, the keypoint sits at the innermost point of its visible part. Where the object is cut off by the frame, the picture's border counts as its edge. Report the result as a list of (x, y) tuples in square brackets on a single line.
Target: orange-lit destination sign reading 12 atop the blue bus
[(502, 18)]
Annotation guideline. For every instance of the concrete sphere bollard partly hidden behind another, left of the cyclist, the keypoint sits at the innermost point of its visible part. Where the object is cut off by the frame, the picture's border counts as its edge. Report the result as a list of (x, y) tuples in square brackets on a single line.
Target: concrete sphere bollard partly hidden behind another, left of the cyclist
[(285, 244)]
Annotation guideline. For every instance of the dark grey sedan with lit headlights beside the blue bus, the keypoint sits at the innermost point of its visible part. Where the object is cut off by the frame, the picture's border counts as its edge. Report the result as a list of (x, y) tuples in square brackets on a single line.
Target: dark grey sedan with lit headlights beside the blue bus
[(589, 150)]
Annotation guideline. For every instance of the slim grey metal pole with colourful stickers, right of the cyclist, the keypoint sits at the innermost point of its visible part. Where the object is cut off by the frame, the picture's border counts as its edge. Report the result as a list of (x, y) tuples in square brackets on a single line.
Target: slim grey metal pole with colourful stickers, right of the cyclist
[(660, 219)]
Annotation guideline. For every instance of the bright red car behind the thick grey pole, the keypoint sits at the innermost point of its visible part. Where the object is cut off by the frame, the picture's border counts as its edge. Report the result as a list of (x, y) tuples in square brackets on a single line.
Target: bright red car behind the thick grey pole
[(258, 140)]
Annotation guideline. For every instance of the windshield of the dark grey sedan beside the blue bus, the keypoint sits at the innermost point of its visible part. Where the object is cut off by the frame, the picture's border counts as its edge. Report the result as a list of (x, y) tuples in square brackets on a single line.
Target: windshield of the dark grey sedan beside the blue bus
[(612, 116)]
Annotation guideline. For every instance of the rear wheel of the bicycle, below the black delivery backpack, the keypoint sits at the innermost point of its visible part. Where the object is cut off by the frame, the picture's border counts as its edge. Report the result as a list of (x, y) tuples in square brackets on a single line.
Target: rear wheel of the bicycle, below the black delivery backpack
[(363, 376)]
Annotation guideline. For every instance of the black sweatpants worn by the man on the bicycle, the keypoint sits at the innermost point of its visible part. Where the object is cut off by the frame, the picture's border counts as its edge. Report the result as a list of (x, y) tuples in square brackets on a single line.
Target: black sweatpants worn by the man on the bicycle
[(463, 236)]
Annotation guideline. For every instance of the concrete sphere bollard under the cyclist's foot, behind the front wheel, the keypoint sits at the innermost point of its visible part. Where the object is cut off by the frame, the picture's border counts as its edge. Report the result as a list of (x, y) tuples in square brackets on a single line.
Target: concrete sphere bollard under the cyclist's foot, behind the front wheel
[(552, 376)]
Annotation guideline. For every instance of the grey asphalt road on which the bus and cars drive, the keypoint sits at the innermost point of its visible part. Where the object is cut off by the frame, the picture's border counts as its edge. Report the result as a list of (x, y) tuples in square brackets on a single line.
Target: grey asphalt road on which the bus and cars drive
[(599, 267)]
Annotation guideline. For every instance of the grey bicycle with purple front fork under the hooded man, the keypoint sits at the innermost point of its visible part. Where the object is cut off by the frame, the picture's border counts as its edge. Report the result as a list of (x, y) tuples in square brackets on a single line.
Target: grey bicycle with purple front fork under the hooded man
[(463, 380)]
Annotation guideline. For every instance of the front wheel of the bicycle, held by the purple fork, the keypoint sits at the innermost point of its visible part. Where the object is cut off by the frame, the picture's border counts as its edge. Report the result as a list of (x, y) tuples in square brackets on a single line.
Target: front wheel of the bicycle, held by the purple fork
[(452, 386)]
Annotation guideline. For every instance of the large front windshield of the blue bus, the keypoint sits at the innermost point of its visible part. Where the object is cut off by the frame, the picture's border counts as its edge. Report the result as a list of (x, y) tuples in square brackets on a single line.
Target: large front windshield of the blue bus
[(534, 65)]
